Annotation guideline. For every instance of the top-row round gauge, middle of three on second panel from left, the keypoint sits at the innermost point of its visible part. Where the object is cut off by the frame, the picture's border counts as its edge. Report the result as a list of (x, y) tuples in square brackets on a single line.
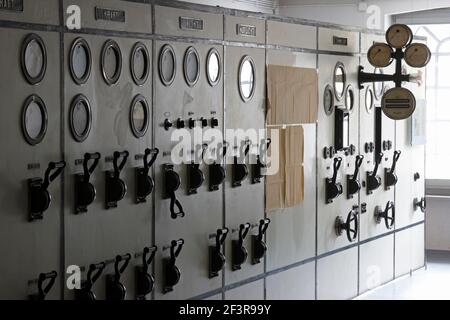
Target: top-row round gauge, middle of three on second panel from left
[(111, 62)]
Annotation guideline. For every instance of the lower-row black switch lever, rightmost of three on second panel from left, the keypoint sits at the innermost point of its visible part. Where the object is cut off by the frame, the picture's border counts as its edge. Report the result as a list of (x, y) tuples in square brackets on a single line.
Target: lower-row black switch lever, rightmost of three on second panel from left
[(145, 282)]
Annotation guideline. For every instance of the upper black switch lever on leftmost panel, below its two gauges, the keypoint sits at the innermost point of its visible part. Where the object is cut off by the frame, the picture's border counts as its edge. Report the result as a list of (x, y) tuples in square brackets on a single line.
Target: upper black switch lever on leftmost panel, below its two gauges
[(39, 198)]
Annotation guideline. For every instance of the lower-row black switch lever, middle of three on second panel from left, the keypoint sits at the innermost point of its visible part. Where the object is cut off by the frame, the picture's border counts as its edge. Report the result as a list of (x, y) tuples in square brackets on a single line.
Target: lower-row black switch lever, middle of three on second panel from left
[(115, 290)]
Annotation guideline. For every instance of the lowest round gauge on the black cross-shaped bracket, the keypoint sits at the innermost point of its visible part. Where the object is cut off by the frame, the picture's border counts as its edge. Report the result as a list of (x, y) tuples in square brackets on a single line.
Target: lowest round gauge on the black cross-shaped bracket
[(398, 103)]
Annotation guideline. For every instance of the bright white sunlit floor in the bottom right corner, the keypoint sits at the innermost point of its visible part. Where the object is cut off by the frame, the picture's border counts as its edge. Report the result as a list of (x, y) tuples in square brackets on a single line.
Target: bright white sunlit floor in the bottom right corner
[(432, 283)]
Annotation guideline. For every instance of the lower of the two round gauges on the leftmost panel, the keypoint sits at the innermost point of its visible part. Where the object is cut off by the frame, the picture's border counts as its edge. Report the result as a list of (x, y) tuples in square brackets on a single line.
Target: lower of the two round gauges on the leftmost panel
[(34, 120)]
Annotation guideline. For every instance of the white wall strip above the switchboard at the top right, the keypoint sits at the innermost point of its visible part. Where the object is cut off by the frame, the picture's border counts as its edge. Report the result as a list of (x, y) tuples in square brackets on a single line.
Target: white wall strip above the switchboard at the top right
[(353, 12)]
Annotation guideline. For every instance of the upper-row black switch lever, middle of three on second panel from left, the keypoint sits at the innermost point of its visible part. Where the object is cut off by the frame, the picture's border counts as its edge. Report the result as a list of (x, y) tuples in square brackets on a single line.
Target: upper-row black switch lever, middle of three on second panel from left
[(115, 187)]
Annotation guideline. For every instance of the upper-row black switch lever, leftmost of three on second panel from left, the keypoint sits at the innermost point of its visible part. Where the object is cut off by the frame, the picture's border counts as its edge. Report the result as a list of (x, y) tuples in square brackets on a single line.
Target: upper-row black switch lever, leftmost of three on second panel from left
[(85, 192)]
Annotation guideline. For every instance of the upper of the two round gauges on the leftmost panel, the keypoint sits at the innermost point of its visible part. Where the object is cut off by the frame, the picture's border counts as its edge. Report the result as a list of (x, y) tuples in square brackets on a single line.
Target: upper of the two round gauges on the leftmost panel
[(34, 59)]
